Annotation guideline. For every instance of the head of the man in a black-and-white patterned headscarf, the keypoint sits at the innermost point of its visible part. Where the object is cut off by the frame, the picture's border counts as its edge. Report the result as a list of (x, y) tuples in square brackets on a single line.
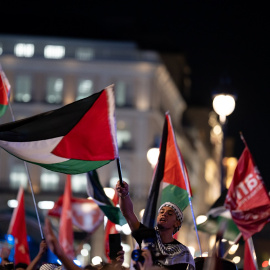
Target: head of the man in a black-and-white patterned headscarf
[(169, 216)]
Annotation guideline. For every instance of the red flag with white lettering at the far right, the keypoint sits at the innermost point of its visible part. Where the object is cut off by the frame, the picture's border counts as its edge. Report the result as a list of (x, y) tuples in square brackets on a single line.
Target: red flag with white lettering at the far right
[(247, 198)]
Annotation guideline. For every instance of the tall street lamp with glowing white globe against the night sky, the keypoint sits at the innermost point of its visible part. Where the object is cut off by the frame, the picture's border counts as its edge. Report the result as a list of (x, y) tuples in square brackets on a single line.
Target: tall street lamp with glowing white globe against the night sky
[(223, 105)]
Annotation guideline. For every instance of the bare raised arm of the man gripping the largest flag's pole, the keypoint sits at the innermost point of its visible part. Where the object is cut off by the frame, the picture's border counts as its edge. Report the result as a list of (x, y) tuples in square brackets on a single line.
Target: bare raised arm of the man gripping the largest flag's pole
[(126, 206)]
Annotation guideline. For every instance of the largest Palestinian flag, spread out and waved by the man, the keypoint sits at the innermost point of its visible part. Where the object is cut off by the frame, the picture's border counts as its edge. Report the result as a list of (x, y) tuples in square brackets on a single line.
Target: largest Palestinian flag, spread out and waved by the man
[(74, 139)]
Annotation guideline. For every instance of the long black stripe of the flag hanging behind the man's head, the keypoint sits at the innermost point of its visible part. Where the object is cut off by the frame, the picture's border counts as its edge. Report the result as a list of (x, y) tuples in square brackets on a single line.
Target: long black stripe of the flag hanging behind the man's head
[(149, 216)]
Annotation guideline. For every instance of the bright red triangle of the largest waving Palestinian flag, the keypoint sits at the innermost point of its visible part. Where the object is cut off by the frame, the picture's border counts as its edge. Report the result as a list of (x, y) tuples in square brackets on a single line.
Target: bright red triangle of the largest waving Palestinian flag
[(96, 141)]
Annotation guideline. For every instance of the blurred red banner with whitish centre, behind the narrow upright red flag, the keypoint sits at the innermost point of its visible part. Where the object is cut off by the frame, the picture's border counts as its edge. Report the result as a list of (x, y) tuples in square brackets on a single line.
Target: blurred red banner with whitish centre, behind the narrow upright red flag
[(86, 214)]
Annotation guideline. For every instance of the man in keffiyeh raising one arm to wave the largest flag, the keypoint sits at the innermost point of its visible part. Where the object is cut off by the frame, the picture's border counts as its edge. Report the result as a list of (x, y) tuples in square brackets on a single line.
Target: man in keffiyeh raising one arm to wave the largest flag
[(165, 250)]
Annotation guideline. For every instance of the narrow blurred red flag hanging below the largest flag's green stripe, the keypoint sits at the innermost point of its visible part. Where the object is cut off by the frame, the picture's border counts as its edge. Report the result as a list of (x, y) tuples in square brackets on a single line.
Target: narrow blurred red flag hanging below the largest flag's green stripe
[(65, 228)]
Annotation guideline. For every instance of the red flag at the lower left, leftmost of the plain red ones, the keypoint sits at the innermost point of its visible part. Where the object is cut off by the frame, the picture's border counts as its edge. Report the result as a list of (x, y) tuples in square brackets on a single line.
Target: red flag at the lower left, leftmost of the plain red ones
[(17, 228)]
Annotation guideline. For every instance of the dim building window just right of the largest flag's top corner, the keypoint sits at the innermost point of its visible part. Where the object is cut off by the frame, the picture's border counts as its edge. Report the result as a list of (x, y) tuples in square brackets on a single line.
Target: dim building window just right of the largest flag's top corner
[(123, 94)]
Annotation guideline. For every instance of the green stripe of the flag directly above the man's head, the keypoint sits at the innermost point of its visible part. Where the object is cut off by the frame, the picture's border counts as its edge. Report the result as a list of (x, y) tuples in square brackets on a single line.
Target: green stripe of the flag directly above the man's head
[(176, 195)]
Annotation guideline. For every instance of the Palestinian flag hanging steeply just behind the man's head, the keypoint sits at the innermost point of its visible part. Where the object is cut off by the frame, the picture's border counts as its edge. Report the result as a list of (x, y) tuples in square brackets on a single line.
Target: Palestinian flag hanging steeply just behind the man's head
[(171, 172)]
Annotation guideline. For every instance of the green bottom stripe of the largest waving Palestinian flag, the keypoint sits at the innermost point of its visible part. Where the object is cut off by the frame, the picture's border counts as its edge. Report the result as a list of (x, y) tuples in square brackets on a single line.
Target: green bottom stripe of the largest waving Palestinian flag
[(74, 166)]
